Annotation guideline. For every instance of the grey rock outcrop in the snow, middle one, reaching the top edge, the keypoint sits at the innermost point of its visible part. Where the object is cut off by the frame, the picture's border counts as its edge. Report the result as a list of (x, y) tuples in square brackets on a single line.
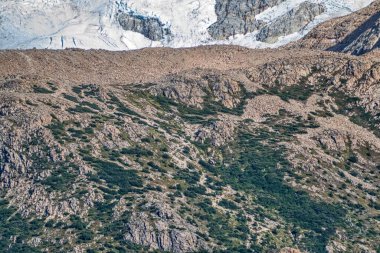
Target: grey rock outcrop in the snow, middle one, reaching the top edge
[(238, 16)]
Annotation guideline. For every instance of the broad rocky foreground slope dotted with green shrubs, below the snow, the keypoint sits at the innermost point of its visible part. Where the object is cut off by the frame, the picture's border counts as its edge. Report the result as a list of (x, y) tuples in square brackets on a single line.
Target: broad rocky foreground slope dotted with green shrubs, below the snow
[(209, 149)]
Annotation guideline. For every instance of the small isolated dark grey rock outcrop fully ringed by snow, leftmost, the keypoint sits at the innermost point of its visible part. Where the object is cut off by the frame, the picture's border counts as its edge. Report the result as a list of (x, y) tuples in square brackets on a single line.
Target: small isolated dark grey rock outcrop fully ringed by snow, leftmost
[(150, 27)]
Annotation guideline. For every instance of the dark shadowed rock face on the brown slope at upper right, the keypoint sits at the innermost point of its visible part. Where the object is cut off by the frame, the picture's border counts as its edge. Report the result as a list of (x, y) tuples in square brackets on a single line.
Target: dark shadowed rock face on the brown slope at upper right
[(364, 39)]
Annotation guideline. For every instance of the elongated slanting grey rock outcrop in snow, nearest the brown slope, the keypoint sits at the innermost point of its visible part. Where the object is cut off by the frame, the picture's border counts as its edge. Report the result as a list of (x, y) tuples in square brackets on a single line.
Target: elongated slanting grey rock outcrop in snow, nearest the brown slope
[(291, 22)]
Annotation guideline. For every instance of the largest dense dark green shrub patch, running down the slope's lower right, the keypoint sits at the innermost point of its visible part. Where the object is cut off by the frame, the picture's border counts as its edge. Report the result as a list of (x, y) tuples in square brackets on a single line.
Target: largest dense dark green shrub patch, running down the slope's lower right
[(253, 168)]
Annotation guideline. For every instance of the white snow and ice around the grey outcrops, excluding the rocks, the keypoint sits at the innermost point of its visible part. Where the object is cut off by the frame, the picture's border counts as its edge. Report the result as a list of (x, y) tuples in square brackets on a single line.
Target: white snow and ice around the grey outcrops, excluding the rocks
[(92, 24)]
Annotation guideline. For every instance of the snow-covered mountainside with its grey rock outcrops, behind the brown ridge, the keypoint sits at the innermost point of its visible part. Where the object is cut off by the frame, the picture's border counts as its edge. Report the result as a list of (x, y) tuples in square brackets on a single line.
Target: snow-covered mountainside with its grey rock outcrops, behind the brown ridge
[(132, 24)]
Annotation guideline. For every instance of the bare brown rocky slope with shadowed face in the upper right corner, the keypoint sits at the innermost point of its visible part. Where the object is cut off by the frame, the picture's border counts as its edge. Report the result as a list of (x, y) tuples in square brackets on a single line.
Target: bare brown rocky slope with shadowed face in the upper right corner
[(356, 34)]
